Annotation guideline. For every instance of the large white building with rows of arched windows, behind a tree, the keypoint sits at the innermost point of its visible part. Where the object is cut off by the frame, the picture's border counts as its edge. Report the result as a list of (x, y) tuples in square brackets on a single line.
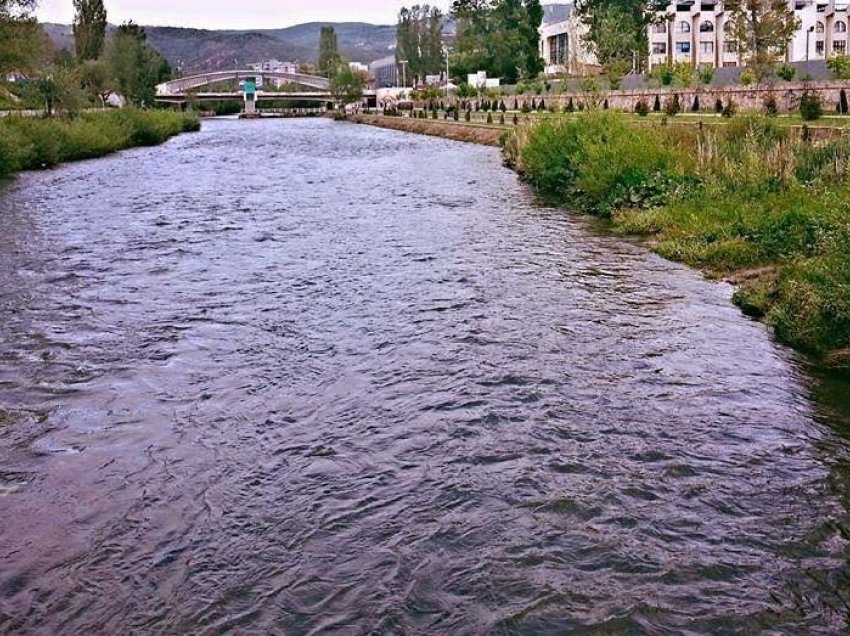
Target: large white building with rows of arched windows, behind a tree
[(694, 32)]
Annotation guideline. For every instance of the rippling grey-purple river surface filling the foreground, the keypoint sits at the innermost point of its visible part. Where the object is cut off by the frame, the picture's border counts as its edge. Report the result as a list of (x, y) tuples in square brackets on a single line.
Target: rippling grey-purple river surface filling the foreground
[(301, 377)]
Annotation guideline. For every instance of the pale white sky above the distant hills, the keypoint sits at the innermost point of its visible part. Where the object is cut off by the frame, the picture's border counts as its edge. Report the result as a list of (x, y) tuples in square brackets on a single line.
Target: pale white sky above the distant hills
[(237, 14)]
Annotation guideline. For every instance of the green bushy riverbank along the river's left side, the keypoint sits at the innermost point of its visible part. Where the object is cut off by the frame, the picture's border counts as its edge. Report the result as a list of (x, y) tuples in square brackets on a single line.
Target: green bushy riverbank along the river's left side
[(27, 144)]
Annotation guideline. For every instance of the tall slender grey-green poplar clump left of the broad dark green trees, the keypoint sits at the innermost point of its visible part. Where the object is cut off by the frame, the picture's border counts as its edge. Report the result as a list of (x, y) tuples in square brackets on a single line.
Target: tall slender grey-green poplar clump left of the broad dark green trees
[(419, 37)]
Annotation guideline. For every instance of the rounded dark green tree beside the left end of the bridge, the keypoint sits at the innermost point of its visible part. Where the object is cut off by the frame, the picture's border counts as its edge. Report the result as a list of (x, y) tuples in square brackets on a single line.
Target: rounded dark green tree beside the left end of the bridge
[(136, 67)]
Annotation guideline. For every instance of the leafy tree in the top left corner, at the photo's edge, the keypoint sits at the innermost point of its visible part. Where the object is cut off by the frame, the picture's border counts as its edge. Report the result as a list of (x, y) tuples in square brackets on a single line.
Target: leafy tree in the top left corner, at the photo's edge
[(22, 40)]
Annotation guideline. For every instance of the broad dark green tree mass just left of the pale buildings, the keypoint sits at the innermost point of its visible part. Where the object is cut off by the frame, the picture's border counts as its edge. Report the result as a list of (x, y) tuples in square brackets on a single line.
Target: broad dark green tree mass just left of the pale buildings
[(499, 37)]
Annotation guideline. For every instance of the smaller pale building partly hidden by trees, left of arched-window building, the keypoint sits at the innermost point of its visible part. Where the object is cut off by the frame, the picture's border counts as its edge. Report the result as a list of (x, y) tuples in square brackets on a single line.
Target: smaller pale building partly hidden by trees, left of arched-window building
[(563, 49)]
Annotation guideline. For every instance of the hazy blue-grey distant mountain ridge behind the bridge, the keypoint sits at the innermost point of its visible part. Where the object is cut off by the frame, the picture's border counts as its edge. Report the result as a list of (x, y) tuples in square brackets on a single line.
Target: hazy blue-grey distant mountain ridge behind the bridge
[(205, 50)]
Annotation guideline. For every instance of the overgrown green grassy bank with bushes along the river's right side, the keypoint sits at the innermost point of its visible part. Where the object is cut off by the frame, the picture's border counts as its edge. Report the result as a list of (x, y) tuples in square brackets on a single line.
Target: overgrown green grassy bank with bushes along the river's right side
[(747, 200)]
